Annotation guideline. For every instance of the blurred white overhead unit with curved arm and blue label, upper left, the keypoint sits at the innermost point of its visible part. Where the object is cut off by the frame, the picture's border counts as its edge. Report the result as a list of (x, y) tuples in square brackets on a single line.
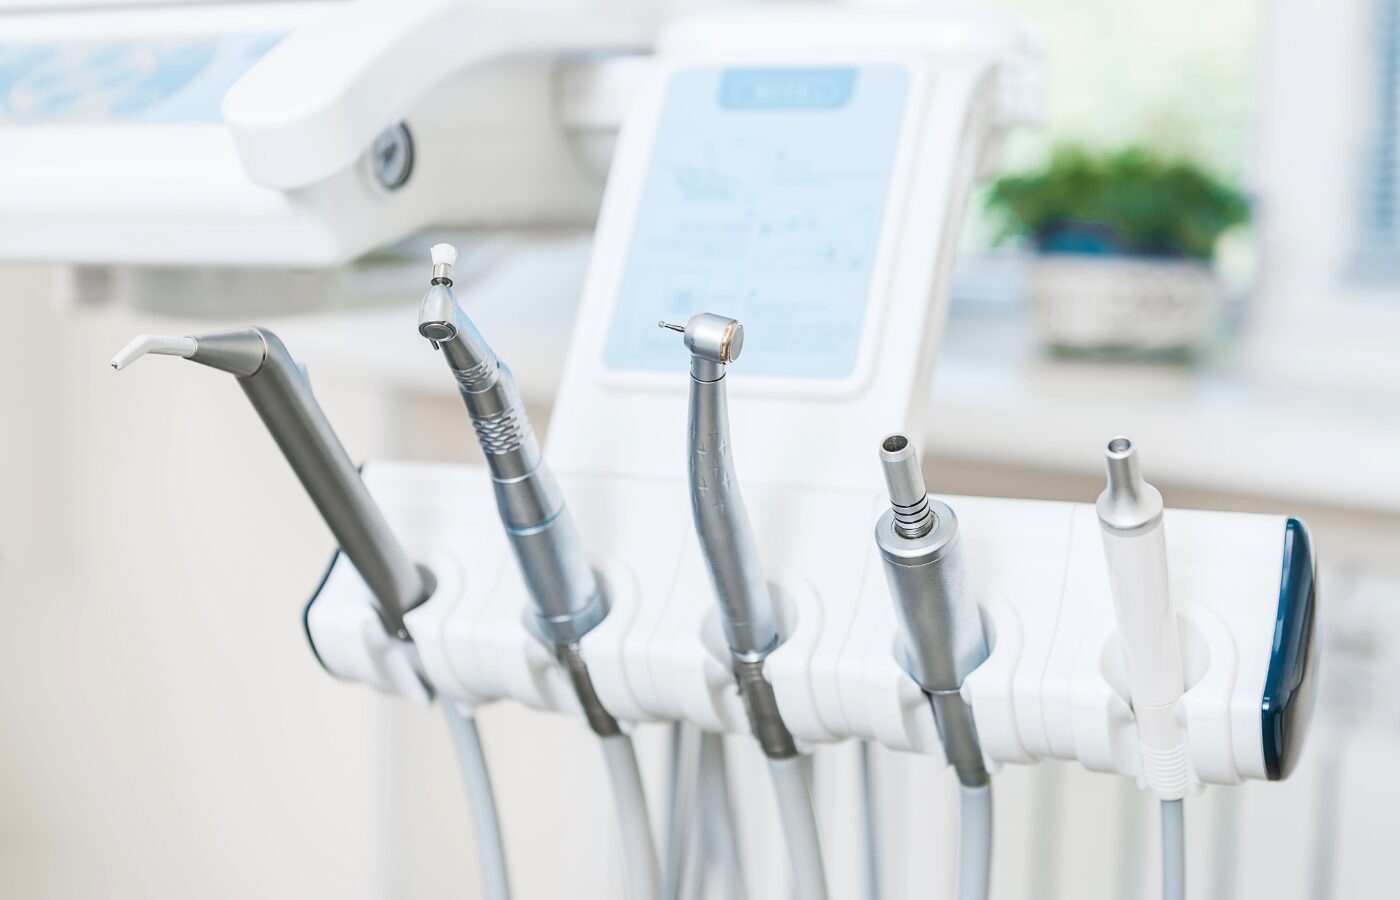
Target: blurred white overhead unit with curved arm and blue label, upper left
[(262, 157)]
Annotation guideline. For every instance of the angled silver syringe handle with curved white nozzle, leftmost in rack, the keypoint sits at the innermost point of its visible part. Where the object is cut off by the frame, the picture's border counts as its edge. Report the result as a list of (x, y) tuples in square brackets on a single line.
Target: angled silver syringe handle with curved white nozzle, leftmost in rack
[(282, 397)]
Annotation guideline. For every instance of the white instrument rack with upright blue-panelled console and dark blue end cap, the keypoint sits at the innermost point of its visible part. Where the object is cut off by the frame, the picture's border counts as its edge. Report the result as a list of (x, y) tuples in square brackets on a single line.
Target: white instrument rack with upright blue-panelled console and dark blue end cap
[(1053, 685)]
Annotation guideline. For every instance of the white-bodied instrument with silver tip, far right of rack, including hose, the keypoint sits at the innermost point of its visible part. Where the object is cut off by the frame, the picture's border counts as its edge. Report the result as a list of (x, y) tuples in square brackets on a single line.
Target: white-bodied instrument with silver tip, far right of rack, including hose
[(1135, 545)]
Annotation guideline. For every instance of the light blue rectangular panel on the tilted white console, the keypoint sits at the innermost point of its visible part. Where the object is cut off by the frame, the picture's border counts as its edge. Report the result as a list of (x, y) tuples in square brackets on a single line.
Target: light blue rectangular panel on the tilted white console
[(764, 201)]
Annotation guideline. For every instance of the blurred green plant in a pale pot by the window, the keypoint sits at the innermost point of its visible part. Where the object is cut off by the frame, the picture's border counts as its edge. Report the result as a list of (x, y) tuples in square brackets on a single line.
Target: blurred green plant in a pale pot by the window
[(1125, 248)]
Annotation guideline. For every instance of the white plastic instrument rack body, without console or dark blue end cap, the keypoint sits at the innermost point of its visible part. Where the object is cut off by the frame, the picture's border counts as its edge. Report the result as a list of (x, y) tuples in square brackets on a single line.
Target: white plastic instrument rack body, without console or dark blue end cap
[(1053, 688)]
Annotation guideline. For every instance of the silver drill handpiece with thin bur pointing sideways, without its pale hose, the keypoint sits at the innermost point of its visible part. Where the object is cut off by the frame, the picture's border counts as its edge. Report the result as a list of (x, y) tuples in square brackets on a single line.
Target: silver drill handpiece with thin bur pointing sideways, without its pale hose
[(747, 611)]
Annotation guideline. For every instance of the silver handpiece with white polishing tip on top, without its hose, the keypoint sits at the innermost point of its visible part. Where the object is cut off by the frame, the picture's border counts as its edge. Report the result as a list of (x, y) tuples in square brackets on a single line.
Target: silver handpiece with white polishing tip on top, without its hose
[(563, 589)]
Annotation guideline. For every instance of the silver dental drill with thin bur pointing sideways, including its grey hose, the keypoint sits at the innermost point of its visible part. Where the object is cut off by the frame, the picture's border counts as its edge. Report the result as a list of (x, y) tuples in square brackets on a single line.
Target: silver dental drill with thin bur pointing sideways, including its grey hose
[(747, 611)]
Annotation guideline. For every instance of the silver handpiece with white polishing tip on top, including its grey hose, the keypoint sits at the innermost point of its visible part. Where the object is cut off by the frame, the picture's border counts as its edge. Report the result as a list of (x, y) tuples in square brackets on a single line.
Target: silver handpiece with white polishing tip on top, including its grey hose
[(565, 591)]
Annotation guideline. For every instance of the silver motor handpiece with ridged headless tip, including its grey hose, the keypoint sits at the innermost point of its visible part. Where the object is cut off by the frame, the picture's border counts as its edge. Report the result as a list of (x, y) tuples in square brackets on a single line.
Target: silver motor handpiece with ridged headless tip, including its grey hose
[(941, 639)]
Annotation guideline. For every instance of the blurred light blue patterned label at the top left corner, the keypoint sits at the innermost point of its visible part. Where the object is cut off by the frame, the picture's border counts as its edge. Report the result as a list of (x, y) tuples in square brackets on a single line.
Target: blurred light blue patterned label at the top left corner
[(178, 80)]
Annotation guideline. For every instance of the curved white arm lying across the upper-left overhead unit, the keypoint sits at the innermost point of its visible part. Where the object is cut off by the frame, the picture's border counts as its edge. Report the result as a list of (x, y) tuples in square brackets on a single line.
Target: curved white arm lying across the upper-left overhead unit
[(320, 99)]
